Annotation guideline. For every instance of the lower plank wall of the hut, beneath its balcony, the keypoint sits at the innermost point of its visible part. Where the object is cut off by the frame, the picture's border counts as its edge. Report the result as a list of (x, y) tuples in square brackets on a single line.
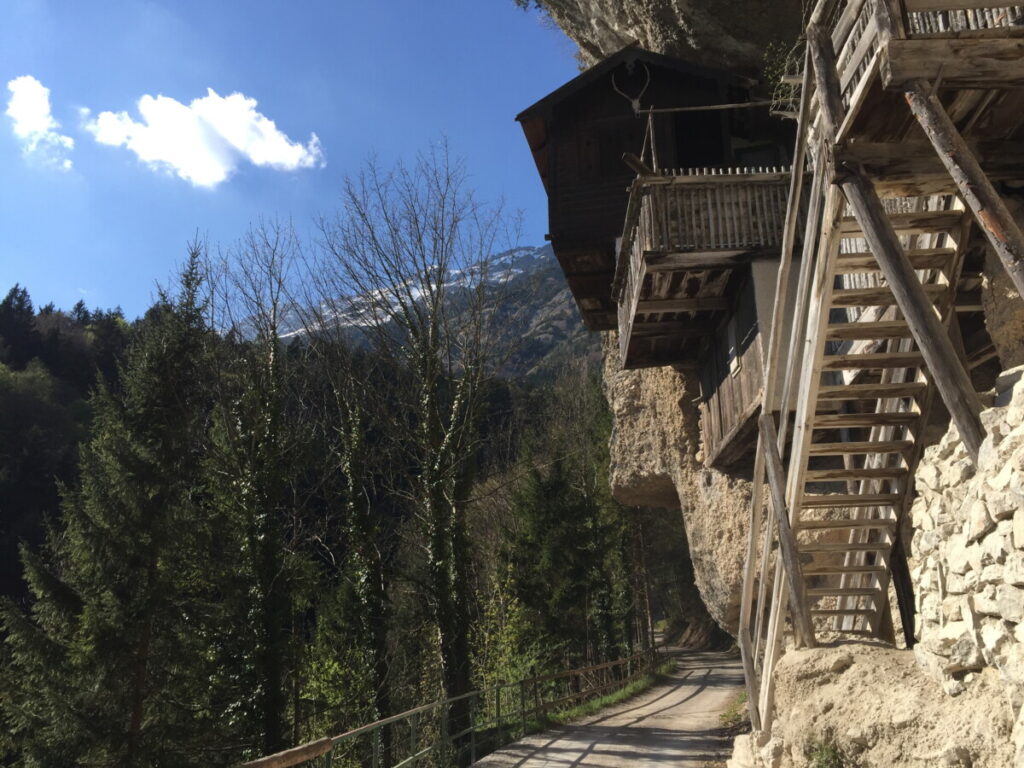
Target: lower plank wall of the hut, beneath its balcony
[(732, 381)]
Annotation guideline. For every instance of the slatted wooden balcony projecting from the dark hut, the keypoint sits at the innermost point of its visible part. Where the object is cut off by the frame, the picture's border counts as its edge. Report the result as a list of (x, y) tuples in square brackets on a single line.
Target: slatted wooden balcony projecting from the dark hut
[(687, 234)]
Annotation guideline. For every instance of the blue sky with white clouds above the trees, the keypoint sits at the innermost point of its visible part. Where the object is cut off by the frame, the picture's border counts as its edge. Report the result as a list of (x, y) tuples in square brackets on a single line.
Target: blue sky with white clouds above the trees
[(108, 218)]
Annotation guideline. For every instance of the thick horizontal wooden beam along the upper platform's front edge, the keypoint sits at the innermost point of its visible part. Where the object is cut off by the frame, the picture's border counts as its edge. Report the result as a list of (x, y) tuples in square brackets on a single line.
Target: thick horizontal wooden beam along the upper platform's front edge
[(962, 63)]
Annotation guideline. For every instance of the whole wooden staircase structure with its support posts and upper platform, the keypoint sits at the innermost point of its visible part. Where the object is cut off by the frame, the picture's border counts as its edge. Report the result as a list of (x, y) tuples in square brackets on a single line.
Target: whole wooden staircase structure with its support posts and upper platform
[(862, 348)]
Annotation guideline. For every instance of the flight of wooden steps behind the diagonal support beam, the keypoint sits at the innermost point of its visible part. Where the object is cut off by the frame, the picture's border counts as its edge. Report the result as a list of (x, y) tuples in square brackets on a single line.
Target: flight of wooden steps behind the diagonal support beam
[(864, 405)]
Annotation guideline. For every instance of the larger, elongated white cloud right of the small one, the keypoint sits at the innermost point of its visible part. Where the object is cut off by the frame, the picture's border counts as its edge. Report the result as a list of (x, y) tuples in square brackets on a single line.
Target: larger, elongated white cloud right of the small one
[(204, 142)]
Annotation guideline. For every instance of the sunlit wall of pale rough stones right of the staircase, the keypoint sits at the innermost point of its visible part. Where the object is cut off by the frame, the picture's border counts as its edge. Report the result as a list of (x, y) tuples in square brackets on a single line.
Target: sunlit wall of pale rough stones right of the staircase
[(967, 556)]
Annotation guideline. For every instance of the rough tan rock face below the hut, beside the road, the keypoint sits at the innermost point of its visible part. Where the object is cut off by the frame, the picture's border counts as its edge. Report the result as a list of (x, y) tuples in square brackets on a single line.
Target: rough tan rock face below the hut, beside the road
[(655, 463)]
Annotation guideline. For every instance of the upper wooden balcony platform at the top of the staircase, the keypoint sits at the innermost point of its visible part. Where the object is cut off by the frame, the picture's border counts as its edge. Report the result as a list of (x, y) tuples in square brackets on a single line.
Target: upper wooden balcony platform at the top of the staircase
[(972, 53)]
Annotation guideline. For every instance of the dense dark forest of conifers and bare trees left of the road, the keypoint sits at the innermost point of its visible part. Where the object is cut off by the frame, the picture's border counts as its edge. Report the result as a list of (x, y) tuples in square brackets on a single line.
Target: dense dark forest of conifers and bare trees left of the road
[(234, 539)]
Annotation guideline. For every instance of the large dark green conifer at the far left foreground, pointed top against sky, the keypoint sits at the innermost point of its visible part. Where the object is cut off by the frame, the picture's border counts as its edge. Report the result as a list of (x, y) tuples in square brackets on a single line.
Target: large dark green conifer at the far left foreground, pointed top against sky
[(111, 665)]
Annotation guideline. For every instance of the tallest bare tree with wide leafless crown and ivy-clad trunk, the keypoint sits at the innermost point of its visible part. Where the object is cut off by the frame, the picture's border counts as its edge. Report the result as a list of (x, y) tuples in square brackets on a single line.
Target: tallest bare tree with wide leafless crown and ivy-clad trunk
[(415, 247)]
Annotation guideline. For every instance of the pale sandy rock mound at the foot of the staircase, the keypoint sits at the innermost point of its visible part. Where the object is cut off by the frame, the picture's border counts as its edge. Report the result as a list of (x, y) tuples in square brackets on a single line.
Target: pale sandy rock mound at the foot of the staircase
[(878, 709)]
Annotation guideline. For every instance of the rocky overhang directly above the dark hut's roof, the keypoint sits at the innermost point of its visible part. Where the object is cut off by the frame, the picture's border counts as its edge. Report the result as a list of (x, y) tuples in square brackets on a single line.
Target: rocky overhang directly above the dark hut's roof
[(730, 34)]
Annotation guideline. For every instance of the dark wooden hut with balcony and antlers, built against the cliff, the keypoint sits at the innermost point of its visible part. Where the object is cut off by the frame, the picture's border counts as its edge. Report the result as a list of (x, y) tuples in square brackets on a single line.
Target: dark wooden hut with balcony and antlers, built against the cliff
[(677, 248)]
